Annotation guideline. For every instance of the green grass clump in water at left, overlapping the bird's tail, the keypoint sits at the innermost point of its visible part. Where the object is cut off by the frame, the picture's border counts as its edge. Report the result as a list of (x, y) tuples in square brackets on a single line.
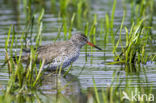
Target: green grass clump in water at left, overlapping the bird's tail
[(22, 78)]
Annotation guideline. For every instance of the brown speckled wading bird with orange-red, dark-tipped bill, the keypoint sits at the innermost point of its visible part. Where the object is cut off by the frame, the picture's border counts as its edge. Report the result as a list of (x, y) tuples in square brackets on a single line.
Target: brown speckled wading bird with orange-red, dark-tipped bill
[(61, 53)]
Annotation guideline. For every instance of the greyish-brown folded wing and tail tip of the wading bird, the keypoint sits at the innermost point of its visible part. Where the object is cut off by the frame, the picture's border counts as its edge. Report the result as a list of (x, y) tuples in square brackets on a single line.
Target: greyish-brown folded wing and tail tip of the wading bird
[(47, 52)]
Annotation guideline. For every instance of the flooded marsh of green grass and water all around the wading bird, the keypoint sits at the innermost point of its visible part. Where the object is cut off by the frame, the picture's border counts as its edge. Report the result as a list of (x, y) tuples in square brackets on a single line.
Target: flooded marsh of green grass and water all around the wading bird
[(125, 67)]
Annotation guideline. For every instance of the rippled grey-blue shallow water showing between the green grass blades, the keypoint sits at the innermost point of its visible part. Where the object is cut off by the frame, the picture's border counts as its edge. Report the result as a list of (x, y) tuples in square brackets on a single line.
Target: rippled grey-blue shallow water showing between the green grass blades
[(82, 73)]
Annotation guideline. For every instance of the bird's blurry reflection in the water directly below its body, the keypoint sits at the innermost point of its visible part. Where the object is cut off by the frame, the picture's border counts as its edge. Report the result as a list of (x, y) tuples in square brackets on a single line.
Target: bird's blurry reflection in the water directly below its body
[(58, 88)]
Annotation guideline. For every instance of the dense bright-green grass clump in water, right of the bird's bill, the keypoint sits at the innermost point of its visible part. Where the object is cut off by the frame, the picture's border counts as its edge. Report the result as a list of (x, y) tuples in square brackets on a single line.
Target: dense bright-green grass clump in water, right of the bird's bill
[(136, 41)]
